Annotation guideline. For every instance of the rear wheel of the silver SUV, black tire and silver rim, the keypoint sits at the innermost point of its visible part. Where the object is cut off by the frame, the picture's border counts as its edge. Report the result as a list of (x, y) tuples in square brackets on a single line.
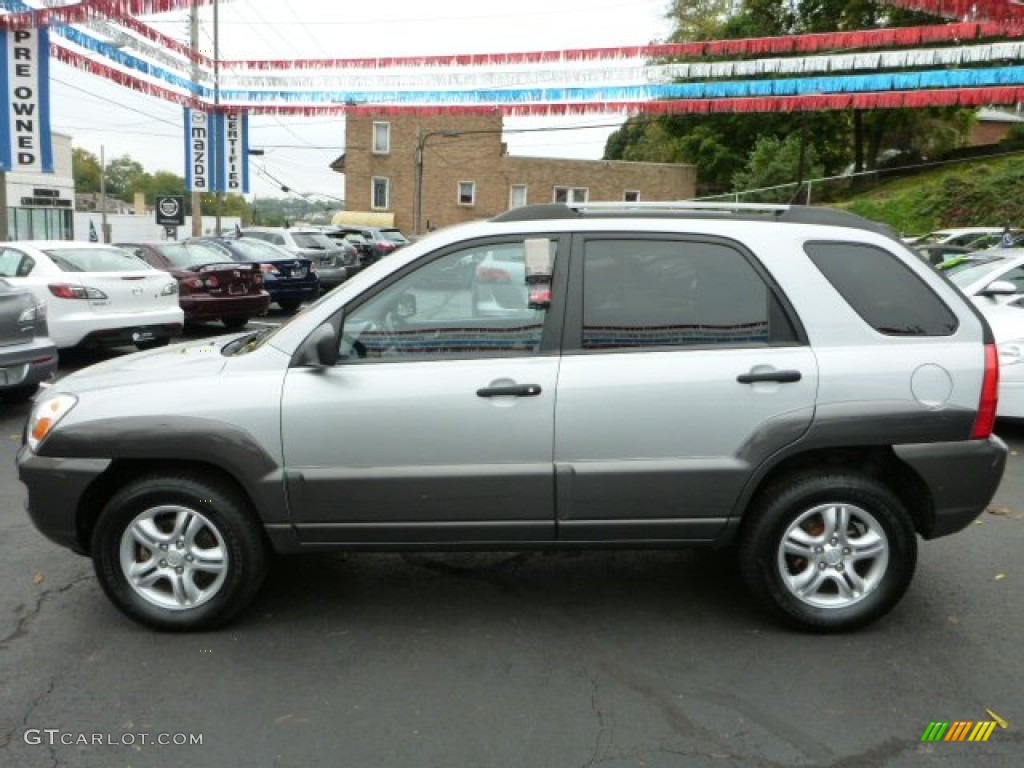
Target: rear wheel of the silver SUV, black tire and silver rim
[(866, 568)]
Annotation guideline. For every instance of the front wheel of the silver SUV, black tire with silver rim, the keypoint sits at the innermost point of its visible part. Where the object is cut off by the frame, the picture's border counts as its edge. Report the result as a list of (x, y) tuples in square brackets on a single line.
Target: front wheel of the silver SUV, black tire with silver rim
[(212, 509)]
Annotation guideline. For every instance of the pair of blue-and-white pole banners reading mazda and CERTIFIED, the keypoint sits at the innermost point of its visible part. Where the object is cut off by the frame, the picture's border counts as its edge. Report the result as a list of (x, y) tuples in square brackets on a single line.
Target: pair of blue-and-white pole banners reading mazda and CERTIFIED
[(217, 152)]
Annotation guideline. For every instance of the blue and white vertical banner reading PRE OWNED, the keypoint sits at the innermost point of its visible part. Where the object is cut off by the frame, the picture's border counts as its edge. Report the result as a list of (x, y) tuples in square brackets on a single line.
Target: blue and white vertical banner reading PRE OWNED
[(25, 80)]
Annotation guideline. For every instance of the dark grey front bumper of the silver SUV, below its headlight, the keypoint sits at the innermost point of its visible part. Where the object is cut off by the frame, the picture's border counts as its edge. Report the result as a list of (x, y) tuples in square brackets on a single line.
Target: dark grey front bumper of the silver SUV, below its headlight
[(56, 490)]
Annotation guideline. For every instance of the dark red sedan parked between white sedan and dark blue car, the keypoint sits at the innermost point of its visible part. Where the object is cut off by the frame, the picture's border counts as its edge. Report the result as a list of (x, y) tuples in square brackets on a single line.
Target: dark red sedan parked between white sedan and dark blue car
[(210, 286)]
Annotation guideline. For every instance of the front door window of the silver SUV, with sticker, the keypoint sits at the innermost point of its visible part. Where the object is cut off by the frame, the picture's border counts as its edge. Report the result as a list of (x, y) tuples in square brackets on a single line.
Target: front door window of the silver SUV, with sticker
[(475, 303)]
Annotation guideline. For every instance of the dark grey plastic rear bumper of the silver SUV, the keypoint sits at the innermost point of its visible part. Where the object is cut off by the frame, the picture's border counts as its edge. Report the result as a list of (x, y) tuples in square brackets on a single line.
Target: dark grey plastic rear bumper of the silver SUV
[(963, 479)]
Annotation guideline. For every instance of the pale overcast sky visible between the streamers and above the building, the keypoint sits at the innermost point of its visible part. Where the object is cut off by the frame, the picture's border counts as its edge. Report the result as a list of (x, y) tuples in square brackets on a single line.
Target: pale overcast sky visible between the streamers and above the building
[(99, 114)]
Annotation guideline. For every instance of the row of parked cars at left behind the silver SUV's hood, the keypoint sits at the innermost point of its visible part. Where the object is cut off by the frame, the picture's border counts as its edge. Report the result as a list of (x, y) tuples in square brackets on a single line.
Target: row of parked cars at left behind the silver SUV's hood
[(62, 294)]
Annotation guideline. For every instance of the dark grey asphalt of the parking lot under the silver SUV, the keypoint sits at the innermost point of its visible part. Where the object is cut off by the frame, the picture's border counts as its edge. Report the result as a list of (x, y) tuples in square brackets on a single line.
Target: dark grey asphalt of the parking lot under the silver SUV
[(611, 659)]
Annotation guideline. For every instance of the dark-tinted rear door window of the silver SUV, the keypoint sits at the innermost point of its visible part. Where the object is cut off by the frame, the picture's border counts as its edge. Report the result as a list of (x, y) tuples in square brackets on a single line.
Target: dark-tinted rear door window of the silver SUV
[(672, 293)]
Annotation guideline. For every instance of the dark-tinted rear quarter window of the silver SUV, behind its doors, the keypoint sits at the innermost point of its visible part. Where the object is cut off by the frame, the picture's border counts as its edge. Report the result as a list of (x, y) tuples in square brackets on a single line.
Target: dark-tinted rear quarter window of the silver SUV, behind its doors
[(882, 290)]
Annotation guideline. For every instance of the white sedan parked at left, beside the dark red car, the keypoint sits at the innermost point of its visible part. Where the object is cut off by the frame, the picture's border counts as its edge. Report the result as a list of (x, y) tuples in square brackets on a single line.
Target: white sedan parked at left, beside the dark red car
[(97, 295)]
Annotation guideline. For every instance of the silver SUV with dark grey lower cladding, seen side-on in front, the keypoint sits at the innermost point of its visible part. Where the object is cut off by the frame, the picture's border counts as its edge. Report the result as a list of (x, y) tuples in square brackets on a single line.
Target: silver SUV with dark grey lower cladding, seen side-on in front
[(790, 381)]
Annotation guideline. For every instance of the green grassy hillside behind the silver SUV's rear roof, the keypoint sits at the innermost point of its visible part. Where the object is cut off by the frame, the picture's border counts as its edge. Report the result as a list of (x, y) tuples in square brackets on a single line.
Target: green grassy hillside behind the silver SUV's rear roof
[(979, 193)]
